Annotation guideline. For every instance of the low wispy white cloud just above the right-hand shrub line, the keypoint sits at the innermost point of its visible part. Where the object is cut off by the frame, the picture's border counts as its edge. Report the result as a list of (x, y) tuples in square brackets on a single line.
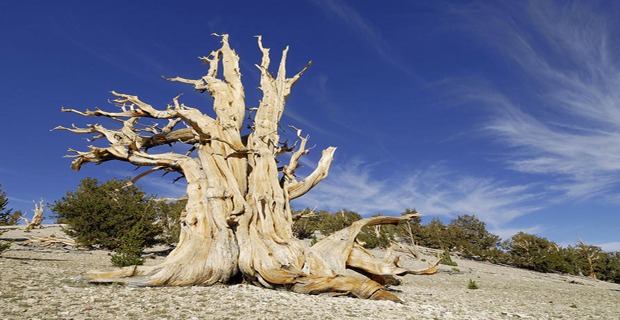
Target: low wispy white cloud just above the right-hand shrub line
[(433, 191)]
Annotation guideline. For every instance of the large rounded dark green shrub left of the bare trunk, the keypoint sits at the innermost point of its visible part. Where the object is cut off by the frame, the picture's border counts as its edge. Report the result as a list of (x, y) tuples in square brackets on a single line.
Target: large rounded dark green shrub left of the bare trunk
[(102, 214)]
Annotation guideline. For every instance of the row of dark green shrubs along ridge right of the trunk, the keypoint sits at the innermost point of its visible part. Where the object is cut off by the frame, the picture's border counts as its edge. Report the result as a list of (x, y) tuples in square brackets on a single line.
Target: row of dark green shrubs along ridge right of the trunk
[(468, 236)]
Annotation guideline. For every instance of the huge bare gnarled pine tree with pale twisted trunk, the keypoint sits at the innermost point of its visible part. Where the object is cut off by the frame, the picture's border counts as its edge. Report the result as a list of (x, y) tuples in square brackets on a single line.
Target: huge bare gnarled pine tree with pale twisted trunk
[(237, 223)]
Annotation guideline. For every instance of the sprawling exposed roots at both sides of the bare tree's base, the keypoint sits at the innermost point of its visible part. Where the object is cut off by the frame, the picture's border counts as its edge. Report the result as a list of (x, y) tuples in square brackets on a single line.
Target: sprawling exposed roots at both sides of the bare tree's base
[(322, 272)]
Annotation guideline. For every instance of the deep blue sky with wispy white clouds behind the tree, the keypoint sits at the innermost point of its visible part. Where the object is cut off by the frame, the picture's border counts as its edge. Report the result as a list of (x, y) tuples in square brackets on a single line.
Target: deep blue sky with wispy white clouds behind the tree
[(508, 110)]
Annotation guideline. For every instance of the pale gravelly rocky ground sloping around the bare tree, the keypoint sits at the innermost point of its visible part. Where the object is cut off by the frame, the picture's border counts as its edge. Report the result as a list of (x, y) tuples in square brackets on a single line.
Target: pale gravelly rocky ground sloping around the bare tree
[(38, 282)]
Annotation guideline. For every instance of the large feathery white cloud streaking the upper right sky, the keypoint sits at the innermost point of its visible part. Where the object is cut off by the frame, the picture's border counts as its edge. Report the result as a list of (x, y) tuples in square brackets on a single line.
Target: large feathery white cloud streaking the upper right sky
[(570, 128)]
